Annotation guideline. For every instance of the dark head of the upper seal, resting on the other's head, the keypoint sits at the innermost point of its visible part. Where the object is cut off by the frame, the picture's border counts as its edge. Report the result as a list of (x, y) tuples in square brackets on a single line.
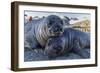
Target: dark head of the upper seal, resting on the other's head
[(55, 25)]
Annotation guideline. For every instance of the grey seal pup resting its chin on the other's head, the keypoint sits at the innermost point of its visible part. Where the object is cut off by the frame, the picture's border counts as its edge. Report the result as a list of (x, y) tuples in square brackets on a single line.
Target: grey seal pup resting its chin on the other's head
[(37, 32)]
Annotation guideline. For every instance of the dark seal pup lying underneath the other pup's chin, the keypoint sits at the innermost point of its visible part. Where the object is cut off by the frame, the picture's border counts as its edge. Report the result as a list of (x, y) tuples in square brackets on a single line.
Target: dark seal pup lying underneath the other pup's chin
[(71, 40)]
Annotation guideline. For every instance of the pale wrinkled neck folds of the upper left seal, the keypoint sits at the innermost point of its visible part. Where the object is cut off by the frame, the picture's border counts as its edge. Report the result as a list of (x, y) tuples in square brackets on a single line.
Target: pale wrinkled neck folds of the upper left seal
[(42, 33)]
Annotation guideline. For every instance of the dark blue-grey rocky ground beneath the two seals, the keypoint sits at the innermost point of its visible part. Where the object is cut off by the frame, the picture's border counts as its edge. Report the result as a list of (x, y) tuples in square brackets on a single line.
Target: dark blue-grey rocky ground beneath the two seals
[(38, 55)]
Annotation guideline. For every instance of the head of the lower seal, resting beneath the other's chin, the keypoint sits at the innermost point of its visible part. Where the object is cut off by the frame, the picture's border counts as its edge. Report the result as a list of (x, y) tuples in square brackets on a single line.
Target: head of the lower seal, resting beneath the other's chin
[(54, 47)]
